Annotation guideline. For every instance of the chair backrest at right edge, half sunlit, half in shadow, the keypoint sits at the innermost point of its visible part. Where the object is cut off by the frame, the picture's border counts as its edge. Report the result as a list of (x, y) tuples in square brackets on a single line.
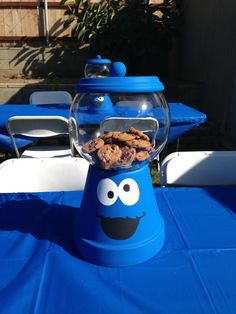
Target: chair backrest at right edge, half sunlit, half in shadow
[(199, 168)]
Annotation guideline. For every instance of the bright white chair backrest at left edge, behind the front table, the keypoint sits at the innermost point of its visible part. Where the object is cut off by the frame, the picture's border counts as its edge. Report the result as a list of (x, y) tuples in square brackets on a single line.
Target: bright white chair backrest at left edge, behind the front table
[(43, 174)]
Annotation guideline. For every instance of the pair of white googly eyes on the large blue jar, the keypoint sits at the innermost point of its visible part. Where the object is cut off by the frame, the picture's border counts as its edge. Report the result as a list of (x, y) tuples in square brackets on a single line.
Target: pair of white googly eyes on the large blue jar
[(127, 191)]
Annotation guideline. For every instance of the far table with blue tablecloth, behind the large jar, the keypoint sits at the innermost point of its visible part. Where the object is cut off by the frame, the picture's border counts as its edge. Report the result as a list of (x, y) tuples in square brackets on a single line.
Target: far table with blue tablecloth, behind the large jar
[(183, 119)]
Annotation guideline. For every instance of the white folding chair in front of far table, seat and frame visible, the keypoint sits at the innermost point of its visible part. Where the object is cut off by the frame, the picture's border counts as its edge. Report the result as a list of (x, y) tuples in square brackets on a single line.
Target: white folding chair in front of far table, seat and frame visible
[(40, 127)]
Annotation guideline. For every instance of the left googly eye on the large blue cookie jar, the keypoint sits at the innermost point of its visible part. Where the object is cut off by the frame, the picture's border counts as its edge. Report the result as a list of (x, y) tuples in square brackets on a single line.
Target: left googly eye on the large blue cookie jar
[(107, 192)]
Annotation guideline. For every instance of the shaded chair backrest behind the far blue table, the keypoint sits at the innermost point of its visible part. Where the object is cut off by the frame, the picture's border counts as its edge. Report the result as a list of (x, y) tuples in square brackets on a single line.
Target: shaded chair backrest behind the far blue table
[(50, 97)]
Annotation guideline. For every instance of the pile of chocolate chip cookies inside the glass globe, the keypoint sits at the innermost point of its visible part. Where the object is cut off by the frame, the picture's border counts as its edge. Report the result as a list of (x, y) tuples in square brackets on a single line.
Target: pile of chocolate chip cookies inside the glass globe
[(116, 149)]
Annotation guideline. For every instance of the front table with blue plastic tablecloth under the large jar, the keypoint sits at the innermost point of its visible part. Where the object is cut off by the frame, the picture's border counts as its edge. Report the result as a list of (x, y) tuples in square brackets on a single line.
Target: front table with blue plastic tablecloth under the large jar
[(195, 272)]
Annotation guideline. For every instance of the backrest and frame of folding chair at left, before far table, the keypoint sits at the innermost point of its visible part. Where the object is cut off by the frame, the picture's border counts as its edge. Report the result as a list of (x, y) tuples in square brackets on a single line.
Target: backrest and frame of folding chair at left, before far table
[(36, 127)]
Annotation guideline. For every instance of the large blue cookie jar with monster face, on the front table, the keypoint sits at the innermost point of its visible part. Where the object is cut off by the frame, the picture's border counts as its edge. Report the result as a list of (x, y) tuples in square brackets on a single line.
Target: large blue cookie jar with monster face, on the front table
[(119, 223)]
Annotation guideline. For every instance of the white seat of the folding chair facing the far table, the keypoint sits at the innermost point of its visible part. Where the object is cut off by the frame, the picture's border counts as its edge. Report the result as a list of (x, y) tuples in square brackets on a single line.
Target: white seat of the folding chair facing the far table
[(46, 152)]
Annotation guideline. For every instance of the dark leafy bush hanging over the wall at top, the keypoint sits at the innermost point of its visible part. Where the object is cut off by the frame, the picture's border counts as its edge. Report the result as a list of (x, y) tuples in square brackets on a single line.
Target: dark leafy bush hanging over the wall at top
[(137, 32)]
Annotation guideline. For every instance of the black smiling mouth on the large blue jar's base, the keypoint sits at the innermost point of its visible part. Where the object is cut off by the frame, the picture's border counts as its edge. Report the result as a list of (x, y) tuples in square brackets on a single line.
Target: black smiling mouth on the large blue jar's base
[(119, 228)]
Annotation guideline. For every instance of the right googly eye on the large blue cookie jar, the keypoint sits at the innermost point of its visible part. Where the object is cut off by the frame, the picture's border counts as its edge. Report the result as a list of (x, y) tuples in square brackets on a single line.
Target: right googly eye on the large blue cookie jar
[(129, 192)]
